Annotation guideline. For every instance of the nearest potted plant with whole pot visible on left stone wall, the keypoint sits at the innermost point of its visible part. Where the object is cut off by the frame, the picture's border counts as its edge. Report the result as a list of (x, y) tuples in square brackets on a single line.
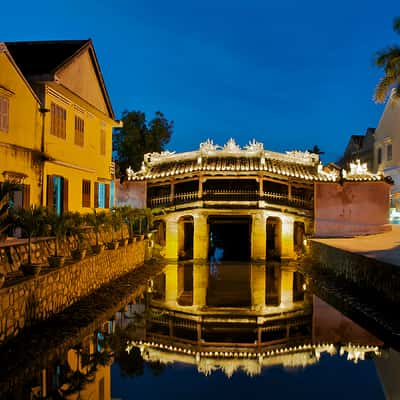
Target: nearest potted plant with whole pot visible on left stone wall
[(32, 222)]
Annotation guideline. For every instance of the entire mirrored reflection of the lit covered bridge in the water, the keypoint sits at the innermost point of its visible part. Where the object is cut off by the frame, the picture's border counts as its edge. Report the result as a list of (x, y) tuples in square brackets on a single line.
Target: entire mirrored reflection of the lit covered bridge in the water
[(241, 316)]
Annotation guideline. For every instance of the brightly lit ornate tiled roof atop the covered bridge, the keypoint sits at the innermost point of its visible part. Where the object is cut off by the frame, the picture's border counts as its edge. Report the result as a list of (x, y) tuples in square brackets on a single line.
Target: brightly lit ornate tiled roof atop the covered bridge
[(232, 160)]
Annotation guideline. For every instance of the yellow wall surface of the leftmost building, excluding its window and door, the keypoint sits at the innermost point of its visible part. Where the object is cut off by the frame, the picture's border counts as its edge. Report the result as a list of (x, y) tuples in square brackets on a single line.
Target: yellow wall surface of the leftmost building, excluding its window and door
[(24, 133)]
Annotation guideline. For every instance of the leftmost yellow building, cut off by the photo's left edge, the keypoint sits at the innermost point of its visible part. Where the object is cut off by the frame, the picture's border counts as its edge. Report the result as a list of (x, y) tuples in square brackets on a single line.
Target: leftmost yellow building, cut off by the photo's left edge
[(20, 131)]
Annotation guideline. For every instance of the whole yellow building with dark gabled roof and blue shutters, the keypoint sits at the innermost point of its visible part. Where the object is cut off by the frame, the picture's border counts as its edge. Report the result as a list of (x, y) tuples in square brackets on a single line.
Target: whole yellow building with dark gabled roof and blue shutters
[(77, 120)]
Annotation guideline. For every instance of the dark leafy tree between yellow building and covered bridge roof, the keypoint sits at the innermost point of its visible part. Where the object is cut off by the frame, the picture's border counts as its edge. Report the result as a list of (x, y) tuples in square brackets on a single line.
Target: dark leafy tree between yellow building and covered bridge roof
[(138, 137)]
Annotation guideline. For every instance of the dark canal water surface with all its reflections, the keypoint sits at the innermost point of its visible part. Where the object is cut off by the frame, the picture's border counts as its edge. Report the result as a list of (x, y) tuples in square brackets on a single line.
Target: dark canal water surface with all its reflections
[(215, 330)]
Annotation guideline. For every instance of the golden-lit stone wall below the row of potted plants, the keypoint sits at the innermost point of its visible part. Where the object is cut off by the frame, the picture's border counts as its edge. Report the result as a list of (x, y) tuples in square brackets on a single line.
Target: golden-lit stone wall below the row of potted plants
[(37, 298)]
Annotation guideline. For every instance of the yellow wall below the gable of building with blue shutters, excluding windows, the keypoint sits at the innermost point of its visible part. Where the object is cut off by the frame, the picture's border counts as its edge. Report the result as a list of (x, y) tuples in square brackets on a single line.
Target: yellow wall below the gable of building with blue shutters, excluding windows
[(73, 161)]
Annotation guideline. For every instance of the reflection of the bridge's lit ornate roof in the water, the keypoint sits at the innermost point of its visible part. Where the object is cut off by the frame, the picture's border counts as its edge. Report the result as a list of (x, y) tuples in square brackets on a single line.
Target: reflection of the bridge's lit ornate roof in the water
[(249, 361)]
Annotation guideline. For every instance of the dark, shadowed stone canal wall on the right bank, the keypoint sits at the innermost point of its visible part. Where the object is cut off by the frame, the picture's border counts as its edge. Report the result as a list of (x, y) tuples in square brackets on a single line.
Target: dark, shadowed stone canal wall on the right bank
[(367, 273)]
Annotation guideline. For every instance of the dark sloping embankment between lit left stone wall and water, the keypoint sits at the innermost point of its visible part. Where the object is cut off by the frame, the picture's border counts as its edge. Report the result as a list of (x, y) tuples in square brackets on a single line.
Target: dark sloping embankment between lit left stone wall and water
[(49, 340)]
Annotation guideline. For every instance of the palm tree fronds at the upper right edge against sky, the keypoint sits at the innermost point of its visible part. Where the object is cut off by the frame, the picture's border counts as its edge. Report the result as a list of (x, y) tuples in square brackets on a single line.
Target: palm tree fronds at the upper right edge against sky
[(389, 60)]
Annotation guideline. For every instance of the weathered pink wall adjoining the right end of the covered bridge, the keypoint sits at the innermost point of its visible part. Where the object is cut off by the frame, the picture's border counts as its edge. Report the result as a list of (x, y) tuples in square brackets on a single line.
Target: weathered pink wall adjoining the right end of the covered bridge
[(351, 208)]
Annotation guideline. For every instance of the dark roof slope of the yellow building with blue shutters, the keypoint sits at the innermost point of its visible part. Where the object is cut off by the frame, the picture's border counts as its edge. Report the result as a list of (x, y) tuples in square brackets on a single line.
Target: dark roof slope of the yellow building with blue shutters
[(43, 57)]
